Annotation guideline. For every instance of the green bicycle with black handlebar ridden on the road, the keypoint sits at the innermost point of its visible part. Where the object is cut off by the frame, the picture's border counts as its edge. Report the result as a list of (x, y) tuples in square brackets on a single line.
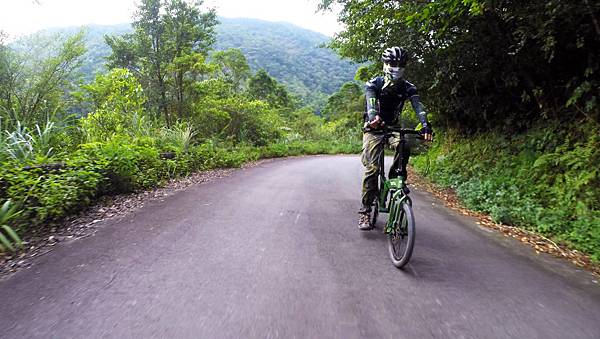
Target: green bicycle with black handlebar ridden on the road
[(393, 198)]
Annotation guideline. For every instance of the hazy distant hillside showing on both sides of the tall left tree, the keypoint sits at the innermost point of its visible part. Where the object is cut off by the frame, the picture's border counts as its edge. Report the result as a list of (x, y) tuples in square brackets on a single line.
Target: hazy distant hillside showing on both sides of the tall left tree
[(288, 53)]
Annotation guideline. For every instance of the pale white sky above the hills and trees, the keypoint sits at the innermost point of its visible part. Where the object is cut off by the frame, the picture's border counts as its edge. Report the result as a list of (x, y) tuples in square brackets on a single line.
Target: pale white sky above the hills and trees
[(22, 17)]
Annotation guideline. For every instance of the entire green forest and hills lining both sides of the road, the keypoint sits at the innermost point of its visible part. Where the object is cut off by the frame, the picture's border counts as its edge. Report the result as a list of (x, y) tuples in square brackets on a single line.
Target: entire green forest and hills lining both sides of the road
[(511, 88)]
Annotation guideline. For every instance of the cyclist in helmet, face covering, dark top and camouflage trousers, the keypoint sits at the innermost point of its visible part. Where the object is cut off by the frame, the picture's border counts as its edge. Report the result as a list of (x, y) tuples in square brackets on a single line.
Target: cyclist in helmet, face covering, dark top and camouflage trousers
[(385, 97)]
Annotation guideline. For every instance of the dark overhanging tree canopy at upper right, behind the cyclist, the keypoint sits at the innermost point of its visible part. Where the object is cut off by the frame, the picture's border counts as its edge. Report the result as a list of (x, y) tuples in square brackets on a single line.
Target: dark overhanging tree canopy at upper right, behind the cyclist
[(543, 63)]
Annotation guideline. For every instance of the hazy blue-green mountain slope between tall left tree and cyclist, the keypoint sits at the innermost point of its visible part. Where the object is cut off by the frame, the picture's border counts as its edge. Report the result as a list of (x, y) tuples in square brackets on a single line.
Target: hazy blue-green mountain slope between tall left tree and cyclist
[(292, 55)]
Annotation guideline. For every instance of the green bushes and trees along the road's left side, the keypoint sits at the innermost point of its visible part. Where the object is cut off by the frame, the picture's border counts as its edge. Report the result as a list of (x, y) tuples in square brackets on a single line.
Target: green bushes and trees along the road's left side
[(167, 106)]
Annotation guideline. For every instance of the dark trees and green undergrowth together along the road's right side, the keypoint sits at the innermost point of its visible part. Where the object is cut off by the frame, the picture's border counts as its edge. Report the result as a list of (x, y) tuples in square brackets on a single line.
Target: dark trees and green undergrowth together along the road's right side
[(512, 89)]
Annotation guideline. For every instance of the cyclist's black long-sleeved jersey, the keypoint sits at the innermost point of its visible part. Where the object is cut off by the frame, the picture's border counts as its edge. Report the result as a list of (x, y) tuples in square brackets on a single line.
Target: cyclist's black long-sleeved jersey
[(387, 99)]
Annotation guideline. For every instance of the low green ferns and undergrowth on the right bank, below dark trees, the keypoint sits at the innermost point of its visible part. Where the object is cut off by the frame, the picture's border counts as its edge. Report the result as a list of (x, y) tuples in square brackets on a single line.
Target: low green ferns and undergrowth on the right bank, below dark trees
[(546, 179)]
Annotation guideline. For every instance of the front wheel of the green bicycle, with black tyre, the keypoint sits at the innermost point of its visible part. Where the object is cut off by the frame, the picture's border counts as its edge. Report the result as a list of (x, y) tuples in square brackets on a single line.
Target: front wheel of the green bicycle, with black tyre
[(401, 239)]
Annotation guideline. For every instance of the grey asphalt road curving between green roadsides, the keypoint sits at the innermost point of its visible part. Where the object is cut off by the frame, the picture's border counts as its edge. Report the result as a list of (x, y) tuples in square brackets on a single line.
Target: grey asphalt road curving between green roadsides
[(274, 252)]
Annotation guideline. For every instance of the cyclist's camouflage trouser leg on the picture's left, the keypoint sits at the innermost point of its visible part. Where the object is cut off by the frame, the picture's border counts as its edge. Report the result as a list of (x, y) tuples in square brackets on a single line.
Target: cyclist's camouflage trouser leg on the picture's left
[(370, 159)]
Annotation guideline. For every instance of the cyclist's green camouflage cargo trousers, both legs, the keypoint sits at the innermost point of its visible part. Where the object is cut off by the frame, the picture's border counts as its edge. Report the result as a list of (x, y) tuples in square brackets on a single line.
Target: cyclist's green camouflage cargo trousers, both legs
[(371, 151)]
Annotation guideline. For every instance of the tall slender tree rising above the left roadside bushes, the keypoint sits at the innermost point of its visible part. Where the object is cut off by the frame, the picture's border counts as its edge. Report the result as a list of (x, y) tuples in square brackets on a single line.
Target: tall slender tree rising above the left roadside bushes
[(164, 33)]
